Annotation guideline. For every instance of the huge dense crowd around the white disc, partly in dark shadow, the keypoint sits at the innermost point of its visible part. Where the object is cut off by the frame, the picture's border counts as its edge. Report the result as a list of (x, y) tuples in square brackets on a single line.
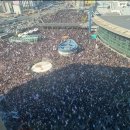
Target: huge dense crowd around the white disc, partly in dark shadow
[(84, 91)]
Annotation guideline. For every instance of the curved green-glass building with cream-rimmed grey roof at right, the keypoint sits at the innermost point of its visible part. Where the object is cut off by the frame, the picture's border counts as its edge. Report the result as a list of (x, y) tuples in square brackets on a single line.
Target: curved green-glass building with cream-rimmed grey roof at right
[(114, 31)]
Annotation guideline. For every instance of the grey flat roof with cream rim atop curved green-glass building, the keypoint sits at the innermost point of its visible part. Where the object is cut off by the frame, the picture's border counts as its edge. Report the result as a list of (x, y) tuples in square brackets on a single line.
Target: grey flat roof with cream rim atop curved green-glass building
[(114, 24)]
